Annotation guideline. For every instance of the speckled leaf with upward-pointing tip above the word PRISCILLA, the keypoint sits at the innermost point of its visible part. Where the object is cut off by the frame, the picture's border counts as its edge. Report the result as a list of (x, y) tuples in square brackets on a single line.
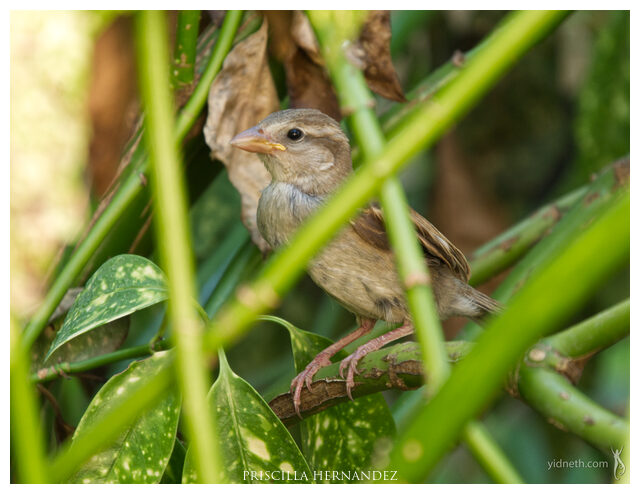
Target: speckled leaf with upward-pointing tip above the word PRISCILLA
[(253, 440)]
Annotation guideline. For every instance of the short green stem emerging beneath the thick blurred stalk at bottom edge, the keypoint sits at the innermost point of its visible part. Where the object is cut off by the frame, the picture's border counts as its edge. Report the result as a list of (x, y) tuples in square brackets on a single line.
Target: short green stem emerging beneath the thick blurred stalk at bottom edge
[(489, 454)]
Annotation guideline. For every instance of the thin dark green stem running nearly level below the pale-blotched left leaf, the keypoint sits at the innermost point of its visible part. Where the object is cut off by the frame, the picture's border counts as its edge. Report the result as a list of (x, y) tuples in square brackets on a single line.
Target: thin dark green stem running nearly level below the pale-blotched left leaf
[(64, 368)]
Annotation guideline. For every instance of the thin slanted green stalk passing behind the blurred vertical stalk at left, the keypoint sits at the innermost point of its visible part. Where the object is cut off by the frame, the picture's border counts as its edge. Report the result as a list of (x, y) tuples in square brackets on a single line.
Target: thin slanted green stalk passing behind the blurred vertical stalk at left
[(129, 189)]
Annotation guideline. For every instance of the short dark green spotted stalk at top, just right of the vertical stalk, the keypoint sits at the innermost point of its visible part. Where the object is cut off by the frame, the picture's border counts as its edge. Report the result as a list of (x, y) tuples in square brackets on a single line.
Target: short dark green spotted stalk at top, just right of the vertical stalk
[(184, 55)]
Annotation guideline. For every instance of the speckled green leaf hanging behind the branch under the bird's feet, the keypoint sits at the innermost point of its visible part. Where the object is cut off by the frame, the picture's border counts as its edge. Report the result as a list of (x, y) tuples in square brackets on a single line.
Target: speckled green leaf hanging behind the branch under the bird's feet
[(344, 438)]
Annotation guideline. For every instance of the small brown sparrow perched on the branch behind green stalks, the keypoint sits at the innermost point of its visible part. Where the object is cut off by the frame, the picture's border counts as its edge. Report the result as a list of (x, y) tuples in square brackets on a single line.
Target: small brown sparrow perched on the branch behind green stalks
[(308, 157)]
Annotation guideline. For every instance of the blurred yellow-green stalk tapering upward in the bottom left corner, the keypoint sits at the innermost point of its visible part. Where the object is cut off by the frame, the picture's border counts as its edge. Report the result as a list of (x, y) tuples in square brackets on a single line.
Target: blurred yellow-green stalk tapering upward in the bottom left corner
[(27, 438)]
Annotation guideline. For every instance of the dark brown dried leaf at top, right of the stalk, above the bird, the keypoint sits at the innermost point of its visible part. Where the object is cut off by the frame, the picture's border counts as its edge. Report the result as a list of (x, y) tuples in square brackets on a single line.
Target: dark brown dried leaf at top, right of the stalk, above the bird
[(373, 50)]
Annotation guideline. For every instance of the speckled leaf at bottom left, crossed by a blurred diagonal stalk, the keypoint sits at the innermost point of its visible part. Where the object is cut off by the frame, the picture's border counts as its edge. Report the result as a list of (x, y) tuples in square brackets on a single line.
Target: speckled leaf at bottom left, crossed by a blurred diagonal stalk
[(142, 451)]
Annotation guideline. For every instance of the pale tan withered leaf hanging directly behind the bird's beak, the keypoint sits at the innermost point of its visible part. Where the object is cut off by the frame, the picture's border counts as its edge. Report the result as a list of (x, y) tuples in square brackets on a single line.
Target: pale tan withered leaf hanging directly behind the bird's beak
[(242, 94)]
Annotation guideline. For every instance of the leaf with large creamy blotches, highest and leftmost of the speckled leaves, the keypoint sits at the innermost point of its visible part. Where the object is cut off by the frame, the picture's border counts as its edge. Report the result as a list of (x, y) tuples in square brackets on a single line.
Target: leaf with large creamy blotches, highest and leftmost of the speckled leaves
[(120, 286)]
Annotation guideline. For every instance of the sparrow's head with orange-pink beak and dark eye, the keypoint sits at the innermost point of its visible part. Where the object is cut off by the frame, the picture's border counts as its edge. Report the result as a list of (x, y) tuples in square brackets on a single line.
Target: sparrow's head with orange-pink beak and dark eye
[(302, 147)]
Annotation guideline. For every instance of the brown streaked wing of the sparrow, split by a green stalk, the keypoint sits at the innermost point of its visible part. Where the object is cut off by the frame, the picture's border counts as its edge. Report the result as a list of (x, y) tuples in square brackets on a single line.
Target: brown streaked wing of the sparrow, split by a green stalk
[(370, 227)]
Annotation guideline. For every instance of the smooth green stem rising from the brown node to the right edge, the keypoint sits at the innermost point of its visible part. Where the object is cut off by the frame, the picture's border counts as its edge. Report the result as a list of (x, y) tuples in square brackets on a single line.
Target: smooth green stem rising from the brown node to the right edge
[(593, 334)]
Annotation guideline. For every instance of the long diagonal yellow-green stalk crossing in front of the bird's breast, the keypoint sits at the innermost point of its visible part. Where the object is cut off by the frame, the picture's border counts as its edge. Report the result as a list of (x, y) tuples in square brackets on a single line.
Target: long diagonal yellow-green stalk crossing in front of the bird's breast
[(422, 128)]
